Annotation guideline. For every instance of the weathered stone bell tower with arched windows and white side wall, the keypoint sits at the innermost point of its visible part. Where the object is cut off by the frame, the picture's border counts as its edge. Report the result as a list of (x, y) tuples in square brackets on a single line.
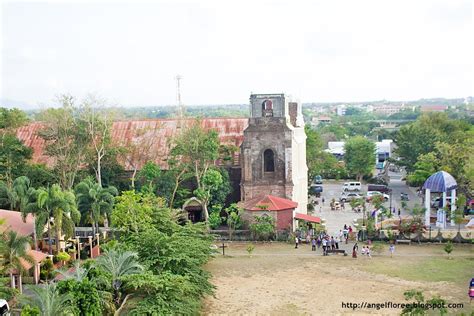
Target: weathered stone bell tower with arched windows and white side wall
[(273, 151)]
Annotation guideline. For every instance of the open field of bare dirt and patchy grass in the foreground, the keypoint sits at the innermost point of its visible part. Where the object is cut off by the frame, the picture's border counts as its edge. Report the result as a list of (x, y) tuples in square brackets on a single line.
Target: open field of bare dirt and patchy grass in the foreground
[(280, 280)]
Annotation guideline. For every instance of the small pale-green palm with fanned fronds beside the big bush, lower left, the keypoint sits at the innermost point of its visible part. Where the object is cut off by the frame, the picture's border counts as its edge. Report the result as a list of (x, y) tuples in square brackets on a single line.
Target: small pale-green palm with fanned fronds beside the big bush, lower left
[(119, 264)]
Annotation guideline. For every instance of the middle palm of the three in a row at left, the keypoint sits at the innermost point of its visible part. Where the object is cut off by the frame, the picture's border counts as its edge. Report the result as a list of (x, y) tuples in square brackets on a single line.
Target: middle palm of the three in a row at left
[(60, 205)]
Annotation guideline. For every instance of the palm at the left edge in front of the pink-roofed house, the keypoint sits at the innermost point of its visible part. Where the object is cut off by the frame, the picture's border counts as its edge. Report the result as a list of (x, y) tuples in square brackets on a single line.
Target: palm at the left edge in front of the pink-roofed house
[(14, 252)]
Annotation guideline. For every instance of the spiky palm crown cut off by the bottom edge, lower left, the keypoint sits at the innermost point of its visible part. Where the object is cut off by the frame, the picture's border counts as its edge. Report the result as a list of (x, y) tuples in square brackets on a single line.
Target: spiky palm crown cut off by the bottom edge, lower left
[(48, 299)]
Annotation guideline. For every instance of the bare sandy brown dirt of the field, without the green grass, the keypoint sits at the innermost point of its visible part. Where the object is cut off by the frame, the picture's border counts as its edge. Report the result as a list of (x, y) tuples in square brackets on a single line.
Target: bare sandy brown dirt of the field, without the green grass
[(278, 281)]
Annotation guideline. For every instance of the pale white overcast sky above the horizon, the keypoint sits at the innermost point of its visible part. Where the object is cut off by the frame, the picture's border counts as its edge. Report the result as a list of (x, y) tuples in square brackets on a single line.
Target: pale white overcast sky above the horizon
[(317, 51)]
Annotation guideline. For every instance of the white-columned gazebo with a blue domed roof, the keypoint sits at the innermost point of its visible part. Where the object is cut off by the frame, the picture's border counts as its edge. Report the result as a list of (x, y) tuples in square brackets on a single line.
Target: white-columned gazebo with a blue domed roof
[(440, 182)]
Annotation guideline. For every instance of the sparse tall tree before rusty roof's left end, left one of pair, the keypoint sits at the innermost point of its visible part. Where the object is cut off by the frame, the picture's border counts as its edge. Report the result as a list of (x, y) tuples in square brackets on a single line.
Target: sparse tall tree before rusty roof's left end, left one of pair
[(66, 139)]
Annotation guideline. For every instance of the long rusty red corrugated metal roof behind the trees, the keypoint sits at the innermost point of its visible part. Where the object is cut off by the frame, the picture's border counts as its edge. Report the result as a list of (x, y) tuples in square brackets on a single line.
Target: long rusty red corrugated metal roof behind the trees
[(155, 133)]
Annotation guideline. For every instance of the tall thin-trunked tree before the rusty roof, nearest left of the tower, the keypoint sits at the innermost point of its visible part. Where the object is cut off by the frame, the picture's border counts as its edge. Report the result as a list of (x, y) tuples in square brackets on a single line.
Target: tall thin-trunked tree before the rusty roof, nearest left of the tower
[(199, 149)]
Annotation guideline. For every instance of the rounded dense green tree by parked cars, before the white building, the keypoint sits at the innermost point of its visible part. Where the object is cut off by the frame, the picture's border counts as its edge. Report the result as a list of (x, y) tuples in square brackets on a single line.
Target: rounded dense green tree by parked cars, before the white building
[(359, 156)]
